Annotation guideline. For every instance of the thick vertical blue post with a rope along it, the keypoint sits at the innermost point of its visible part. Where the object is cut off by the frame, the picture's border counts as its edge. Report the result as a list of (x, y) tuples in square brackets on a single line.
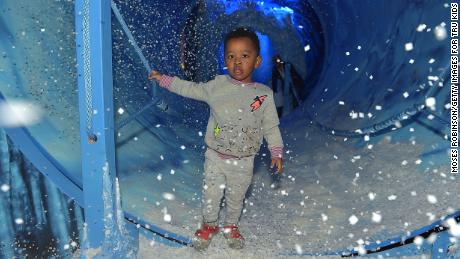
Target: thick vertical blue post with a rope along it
[(94, 59)]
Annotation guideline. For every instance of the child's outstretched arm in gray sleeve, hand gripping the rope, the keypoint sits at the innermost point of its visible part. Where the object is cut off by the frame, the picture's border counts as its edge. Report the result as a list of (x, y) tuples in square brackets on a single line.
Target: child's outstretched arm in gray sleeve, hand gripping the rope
[(181, 87)]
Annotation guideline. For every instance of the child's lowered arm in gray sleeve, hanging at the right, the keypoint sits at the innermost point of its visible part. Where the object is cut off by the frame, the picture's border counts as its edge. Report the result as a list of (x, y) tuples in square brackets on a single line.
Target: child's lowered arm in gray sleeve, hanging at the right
[(272, 133)]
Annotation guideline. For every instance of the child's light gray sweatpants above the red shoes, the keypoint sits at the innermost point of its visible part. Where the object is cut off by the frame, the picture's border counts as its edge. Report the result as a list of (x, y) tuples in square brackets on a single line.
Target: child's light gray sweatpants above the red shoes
[(232, 175)]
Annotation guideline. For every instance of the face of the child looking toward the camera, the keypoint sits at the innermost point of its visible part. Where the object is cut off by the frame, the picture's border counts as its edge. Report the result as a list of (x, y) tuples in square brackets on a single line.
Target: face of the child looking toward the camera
[(241, 59)]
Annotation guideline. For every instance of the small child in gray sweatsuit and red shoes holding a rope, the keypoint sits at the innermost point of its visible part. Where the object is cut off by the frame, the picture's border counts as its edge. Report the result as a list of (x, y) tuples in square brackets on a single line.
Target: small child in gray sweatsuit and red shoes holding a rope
[(242, 113)]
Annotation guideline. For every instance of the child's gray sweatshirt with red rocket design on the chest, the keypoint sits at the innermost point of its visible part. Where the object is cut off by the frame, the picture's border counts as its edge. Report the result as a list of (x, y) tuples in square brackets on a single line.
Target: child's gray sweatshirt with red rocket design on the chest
[(241, 114)]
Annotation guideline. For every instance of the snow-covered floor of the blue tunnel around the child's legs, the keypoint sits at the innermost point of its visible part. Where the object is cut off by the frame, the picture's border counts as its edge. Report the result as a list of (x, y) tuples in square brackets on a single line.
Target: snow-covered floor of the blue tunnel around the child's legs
[(335, 194)]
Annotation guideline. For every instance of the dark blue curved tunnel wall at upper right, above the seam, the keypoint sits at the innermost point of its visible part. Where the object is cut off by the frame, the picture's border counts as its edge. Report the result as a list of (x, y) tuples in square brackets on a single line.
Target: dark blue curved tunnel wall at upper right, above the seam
[(366, 64)]
